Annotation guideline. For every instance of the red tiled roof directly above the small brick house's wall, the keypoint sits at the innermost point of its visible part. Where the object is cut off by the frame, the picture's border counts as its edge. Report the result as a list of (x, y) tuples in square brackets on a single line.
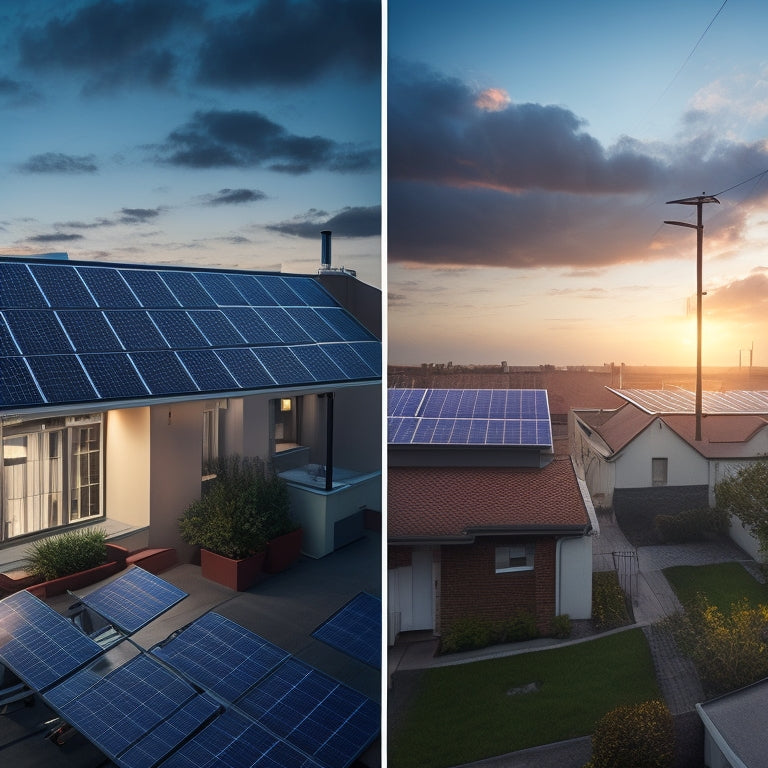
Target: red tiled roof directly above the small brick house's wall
[(459, 502)]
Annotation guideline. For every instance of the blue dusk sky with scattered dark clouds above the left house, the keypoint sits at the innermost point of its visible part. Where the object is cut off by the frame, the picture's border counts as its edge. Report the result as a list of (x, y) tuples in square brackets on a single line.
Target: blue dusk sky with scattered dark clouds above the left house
[(192, 131)]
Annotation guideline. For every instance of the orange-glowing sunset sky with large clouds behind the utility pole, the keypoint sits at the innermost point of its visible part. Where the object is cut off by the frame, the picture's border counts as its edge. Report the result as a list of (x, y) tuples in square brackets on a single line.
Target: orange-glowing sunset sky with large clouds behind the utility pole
[(532, 148)]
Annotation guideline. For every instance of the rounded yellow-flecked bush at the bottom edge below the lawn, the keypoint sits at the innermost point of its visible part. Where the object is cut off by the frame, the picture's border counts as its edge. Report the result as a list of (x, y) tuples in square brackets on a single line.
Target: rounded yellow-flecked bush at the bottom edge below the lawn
[(639, 735)]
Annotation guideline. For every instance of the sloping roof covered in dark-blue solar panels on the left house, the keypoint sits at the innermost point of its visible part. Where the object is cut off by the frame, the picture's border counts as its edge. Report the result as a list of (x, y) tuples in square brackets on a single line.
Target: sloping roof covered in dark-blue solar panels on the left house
[(91, 332)]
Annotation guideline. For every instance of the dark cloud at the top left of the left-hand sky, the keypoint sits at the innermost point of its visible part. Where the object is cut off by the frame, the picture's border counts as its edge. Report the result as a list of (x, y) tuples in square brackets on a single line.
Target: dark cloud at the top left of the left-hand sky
[(111, 42)]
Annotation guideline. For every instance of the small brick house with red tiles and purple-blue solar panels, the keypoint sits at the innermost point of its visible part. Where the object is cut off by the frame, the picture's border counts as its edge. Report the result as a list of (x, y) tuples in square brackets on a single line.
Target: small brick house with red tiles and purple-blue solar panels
[(487, 529)]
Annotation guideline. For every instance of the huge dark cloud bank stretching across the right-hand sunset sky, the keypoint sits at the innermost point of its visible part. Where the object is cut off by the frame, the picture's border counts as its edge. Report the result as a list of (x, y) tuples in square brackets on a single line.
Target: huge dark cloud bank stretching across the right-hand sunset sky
[(525, 185)]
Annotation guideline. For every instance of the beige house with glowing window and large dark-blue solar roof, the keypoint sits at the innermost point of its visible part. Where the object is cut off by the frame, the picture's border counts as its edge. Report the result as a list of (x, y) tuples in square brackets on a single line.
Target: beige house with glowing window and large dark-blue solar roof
[(121, 385)]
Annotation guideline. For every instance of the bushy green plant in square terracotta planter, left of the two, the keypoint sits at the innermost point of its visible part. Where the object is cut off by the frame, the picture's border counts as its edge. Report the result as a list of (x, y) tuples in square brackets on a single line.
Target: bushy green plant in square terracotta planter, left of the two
[(227, 523)]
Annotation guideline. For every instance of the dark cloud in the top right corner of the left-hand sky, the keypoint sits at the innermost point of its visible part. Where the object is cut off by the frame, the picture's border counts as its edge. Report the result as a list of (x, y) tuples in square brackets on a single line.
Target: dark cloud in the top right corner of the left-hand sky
[(287, 43)]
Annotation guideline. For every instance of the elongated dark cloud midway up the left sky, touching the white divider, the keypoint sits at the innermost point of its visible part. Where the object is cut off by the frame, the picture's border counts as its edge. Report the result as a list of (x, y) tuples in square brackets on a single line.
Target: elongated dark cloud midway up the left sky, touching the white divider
[(247, 139)]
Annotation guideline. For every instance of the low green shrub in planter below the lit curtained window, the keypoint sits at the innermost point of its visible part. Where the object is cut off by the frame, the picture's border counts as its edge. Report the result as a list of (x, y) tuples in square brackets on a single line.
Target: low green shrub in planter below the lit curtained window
[(66, 553)]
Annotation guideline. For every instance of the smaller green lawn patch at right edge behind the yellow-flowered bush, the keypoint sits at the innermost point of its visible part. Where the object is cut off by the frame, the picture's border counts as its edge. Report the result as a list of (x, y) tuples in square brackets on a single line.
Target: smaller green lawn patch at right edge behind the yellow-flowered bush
[(722, 584)]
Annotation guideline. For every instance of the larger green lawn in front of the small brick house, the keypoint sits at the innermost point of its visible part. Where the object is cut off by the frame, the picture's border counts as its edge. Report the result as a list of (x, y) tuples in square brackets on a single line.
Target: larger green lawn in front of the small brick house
[(465, 713)]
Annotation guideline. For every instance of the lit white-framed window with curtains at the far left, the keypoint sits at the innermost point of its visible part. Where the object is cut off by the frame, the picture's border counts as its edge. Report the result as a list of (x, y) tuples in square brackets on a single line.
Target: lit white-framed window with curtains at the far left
[(52, 474)]
